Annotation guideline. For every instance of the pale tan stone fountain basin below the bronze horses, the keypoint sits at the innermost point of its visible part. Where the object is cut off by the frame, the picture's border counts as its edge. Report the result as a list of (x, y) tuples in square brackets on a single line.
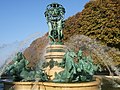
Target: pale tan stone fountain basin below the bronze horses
[(93, 85)]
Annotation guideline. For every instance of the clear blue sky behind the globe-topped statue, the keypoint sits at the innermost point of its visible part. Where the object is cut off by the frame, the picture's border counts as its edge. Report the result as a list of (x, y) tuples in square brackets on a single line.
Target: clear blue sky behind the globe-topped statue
[(21, 18)]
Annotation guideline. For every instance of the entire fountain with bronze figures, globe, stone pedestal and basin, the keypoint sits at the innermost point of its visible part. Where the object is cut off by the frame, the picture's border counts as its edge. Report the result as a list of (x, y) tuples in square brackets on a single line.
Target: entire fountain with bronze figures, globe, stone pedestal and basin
[(62, 66)]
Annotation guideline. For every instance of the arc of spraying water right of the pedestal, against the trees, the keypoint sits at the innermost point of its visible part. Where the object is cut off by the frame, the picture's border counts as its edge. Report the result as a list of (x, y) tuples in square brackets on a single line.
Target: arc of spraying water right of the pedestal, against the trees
[(94, 46)]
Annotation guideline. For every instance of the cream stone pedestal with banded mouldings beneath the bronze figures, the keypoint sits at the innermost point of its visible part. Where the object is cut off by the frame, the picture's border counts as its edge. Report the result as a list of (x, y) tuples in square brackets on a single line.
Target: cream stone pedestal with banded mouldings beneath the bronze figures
[(55, 53)]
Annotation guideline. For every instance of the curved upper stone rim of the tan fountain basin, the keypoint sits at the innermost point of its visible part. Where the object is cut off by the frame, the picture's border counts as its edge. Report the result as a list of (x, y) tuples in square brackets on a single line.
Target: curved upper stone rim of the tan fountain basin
[(83, 84)]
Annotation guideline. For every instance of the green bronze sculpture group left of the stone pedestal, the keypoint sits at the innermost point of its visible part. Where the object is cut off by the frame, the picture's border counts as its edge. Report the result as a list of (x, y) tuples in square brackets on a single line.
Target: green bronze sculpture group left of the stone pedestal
[(19, 71)]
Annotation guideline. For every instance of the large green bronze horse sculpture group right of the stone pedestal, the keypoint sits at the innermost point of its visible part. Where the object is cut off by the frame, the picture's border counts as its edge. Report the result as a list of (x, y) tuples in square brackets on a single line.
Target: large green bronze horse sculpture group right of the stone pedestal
[(77, 68)]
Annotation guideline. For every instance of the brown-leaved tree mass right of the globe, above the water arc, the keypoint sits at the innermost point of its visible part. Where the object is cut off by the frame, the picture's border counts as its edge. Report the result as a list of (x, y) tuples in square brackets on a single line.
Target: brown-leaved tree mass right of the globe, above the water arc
[(99, 20)]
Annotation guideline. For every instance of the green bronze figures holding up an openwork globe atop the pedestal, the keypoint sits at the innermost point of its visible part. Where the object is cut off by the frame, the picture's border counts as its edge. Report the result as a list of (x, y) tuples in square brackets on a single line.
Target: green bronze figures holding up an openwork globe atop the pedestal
[(55, 19)]
